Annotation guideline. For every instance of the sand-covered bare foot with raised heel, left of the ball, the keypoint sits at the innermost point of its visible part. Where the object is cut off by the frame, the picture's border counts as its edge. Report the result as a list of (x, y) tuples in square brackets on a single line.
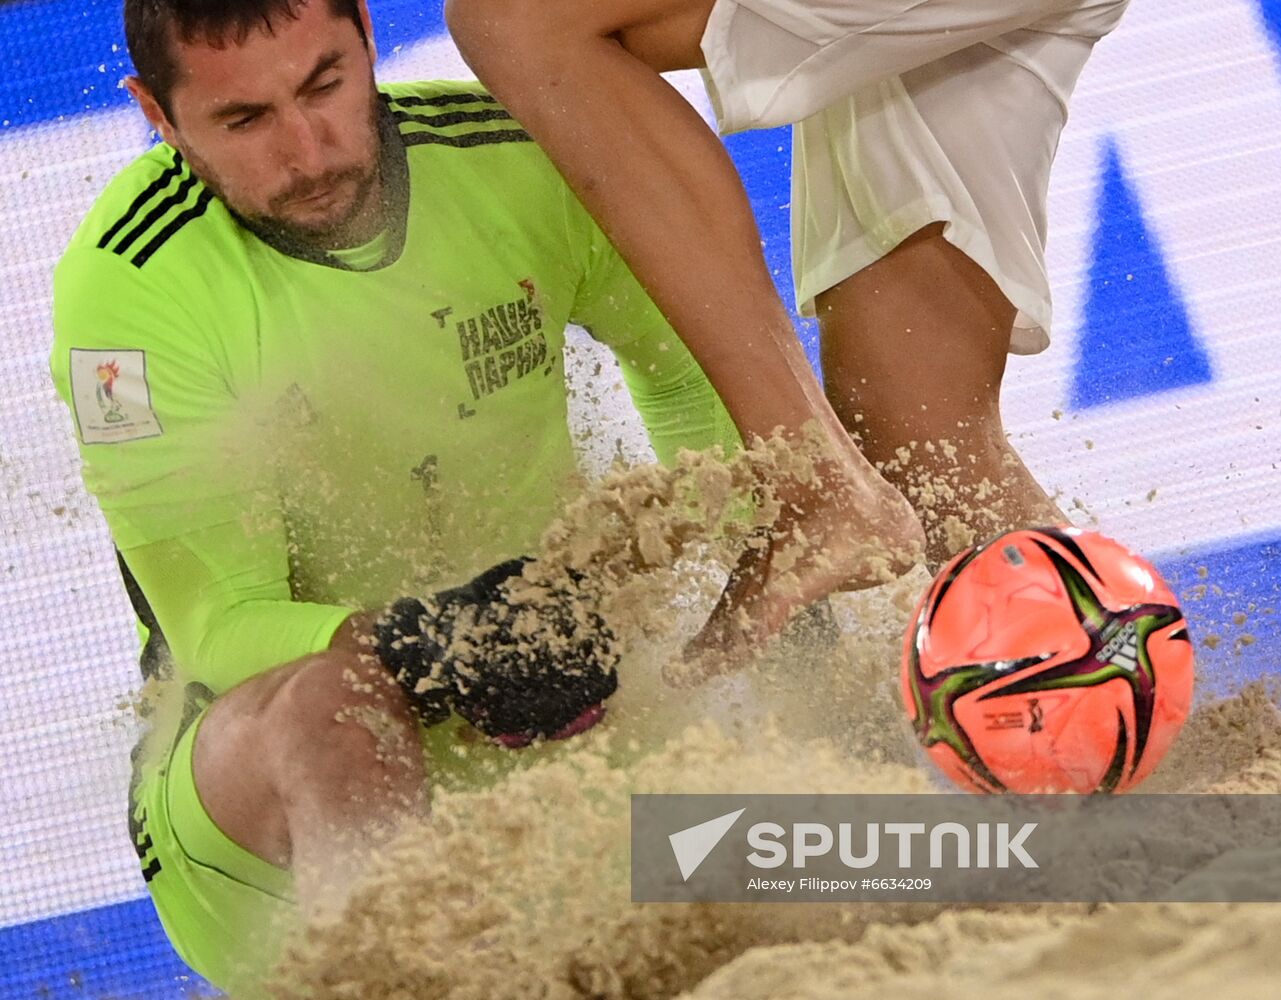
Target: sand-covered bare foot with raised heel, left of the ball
[(817, 546)]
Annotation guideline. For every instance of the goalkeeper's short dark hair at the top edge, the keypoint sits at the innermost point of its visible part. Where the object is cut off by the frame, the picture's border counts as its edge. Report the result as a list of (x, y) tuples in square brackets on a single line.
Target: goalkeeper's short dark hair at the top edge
[(153, 26)]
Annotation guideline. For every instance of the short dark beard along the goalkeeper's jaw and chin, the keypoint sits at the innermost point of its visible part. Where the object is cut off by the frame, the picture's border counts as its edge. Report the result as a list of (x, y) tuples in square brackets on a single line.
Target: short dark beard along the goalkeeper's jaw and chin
[(350, 222)]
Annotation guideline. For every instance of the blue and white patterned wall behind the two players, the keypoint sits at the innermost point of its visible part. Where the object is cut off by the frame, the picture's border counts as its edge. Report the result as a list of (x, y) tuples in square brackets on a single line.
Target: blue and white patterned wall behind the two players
[(1156, 412)]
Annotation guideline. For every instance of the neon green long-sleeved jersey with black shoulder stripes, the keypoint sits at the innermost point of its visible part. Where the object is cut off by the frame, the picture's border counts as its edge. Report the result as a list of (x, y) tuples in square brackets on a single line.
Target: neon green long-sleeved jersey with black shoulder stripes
[(279, 439)]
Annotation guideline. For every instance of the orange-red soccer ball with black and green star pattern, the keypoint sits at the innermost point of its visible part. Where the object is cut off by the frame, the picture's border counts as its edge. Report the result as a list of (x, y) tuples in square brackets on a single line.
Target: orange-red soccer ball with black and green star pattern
[(1048, 660)]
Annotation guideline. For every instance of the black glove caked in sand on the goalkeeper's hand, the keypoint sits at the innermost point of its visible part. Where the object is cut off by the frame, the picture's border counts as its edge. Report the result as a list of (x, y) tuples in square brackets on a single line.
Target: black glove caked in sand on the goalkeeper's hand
[(518, 673)]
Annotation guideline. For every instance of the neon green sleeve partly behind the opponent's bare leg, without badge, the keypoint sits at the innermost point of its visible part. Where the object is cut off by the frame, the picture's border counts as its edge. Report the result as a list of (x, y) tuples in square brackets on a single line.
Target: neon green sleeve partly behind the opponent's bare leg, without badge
[(677, 403)]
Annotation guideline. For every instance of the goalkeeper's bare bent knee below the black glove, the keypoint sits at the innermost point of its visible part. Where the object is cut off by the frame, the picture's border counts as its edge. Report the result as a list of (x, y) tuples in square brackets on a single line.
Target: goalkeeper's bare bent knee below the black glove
[(309, 765)]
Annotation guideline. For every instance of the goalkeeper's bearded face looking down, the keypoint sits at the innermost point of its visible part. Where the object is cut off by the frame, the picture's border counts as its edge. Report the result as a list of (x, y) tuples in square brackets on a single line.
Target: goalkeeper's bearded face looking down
[(282, 126)]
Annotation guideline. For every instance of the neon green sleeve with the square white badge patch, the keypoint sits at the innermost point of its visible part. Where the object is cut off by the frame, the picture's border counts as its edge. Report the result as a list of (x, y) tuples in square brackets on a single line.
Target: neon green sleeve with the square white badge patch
[(157, 409)]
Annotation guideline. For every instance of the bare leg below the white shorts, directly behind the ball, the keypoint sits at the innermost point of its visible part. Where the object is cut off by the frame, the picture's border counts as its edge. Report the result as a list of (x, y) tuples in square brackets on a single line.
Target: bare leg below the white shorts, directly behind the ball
[(914, 350)]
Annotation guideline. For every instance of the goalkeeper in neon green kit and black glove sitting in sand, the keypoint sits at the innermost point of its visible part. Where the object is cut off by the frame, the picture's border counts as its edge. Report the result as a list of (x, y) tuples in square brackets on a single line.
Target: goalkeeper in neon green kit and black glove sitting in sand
[(313, 350)]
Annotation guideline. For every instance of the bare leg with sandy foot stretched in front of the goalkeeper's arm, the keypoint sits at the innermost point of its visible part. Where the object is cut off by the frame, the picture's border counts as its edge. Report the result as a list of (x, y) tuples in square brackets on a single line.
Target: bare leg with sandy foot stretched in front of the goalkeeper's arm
[(668, 195)]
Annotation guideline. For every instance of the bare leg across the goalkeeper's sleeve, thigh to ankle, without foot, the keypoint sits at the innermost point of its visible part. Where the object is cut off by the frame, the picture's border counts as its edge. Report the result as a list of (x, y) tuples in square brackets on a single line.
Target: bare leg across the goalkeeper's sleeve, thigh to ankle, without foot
[(645, 162)]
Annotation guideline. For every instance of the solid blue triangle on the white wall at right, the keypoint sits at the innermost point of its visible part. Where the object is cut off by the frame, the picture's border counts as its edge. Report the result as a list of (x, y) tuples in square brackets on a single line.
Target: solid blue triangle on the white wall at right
[(1136, 336)]
